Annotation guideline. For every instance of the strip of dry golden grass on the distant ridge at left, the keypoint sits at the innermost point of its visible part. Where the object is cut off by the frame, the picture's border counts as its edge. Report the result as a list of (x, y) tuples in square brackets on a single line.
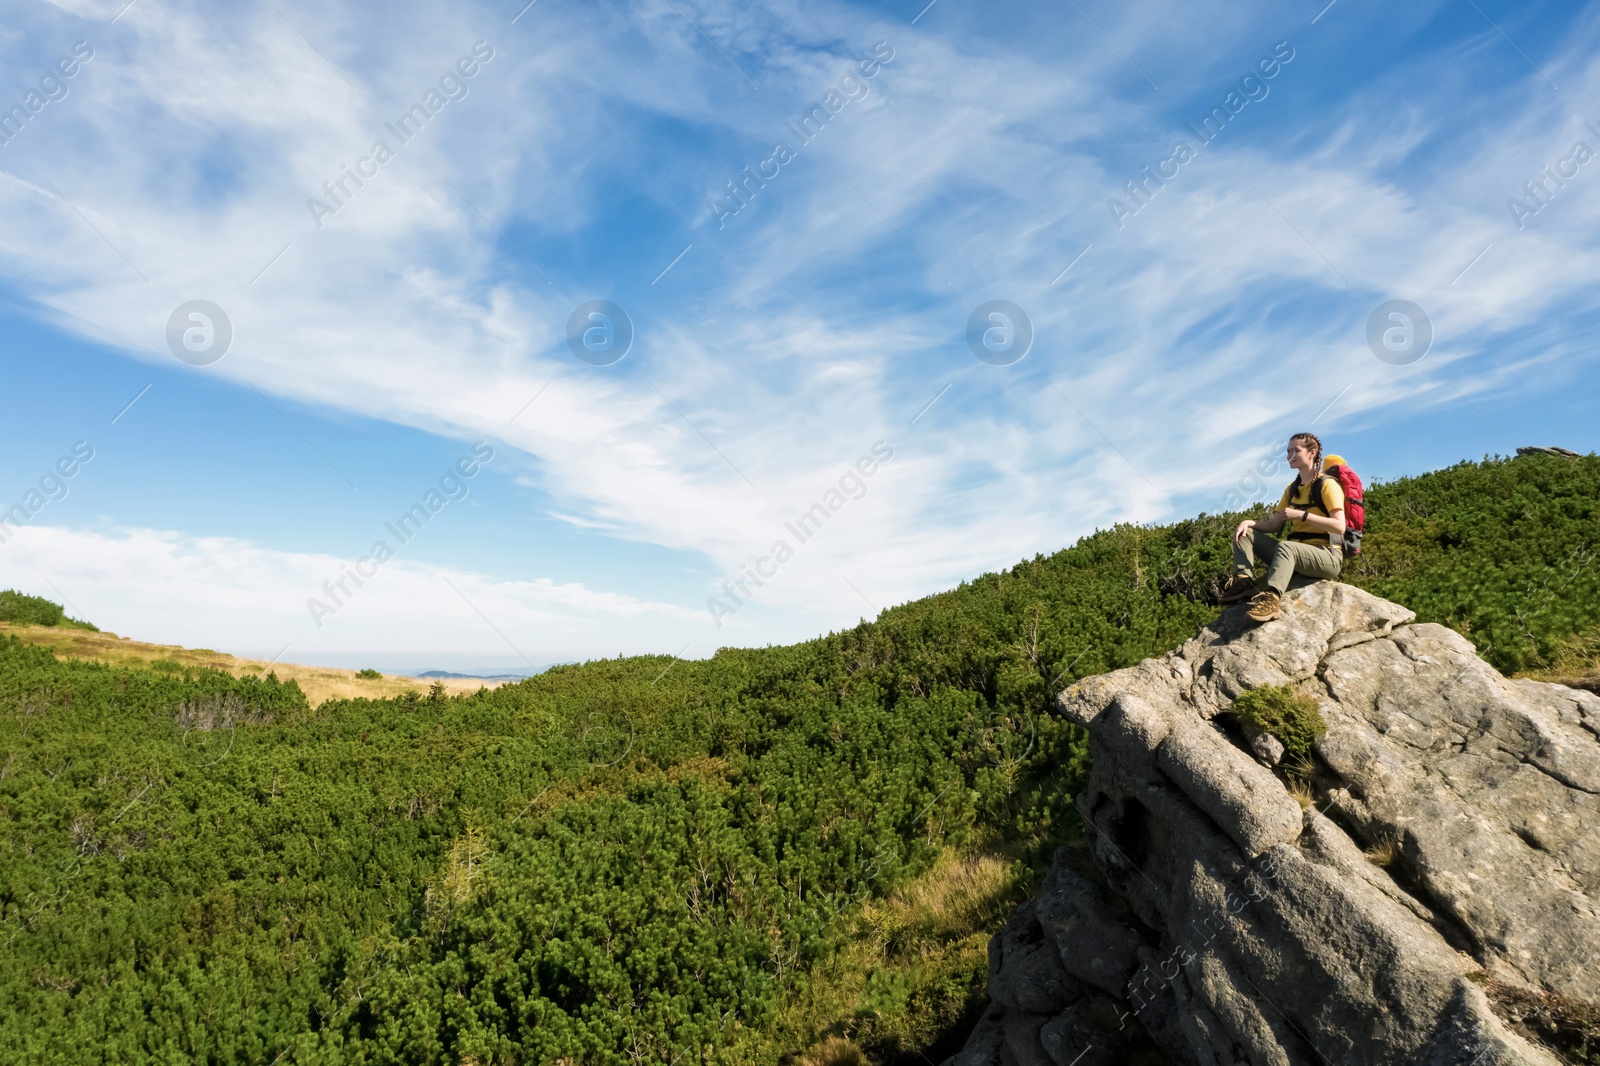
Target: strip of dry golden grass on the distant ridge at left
[(318, 683)]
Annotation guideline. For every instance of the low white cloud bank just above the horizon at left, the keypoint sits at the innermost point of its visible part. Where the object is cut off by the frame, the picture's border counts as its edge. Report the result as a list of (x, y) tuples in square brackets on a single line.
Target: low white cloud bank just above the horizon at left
[(170, 588)]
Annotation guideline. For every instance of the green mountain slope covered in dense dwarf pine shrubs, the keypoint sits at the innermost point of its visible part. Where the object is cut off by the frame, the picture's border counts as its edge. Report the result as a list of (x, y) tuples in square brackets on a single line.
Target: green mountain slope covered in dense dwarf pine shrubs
[(641, 860)]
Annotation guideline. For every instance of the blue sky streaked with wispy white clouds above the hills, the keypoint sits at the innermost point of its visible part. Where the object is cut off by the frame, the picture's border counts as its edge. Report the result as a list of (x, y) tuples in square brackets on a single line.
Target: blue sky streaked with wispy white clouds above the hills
[(378, 332)]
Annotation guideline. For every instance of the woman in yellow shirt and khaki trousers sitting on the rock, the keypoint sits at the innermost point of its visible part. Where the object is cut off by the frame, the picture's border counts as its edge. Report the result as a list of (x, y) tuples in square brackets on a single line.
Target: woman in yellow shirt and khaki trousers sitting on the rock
[(1314, 510)]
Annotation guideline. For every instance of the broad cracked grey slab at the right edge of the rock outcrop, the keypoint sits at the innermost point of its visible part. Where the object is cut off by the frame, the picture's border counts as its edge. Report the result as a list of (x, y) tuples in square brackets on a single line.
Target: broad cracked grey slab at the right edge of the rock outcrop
[(1490, 788)]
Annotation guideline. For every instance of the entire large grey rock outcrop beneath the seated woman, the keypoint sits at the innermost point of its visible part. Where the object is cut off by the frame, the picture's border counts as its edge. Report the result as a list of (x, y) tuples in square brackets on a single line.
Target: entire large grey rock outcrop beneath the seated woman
[(1218, 918)]
